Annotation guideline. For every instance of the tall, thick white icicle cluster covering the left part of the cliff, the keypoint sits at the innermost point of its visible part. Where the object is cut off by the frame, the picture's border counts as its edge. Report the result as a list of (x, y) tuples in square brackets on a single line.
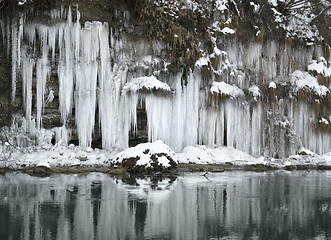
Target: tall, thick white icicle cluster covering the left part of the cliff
[(81, 58)]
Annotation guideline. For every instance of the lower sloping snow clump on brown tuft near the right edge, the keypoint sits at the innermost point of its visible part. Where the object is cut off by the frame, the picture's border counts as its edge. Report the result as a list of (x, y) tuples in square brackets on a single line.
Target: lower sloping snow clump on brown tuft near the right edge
[(302, 80)]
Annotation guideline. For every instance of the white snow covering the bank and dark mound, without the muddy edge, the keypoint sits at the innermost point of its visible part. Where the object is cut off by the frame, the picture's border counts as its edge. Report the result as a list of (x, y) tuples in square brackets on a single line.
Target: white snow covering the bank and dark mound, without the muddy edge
[(152, 156)]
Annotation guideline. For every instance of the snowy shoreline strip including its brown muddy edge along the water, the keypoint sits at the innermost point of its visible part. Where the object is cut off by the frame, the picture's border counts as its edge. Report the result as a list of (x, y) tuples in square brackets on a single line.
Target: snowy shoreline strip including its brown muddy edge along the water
[(67, 159)]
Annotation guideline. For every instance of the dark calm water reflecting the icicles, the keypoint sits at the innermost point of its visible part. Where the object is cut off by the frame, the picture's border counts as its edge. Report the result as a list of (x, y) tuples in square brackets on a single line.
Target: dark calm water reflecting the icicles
[(230, 205)]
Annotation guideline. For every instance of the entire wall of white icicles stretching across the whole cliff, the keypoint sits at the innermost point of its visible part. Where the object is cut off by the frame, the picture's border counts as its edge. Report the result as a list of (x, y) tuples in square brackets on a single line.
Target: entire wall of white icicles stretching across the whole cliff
[(99, 79)]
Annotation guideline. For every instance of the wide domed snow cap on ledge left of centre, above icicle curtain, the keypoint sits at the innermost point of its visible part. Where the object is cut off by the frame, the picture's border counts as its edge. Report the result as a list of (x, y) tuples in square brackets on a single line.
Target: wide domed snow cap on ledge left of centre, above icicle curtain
[(148, 83)]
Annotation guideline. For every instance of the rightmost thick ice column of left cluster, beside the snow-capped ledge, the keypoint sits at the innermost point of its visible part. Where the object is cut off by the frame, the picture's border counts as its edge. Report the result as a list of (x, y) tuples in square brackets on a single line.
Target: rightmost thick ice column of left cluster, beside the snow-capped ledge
[(114, 108)]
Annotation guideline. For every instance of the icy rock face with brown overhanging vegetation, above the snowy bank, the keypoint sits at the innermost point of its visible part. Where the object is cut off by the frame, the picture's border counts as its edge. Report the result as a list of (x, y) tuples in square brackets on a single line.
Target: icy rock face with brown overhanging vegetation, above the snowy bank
[(184, 72)]
